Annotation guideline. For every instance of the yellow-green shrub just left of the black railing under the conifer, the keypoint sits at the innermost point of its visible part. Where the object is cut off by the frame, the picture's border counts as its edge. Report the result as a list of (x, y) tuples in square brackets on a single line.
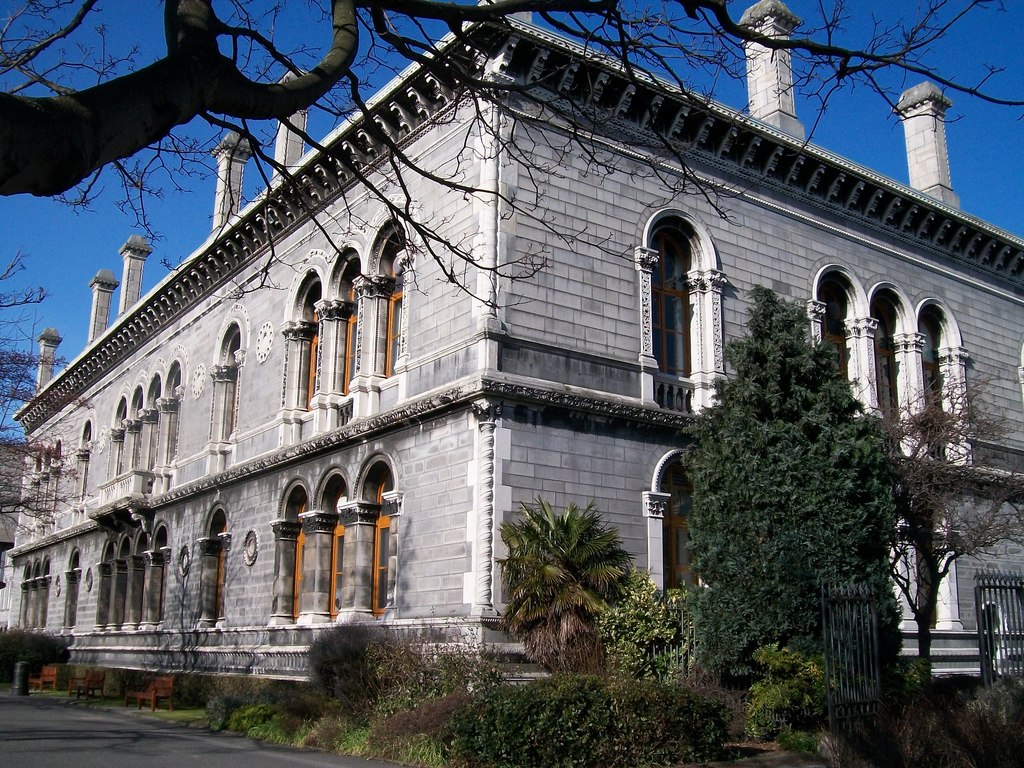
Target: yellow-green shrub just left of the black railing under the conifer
[(790, 696)]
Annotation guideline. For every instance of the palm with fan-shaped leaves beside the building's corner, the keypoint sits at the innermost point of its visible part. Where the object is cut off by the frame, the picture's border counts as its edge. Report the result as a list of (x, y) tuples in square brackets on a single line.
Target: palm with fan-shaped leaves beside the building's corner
[(563, 569)]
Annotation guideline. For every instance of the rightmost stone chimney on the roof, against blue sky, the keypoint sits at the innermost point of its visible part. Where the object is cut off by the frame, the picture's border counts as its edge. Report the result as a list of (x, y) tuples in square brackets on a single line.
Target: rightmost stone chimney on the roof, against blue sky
[(923, 110)]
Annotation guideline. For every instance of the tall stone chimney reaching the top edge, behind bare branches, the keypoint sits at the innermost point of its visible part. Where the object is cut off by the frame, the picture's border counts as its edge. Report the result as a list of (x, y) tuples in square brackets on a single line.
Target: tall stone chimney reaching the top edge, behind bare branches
[(770, 72)]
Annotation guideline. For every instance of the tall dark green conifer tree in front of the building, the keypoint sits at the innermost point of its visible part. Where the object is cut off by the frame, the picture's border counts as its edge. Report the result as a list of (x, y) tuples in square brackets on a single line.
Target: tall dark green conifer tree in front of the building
[(792, 491)]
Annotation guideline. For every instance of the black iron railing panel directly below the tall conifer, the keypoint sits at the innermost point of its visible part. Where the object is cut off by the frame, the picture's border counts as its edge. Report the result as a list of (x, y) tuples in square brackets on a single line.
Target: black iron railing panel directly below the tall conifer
[(854, 679)]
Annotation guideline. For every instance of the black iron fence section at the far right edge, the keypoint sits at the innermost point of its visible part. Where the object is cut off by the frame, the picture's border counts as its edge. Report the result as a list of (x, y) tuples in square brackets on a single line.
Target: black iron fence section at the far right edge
[(1000, 602)]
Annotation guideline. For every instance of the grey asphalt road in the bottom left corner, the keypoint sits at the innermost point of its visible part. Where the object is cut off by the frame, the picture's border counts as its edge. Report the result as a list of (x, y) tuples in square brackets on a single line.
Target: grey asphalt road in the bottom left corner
[(38, 733)]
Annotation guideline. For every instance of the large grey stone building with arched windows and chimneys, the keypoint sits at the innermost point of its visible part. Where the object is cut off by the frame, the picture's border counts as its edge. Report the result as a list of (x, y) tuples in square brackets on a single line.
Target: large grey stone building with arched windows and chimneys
[(262, 447)]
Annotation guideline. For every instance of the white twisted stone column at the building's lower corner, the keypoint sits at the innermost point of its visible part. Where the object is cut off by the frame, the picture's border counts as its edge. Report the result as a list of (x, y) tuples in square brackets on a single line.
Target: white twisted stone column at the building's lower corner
[(487, 420)]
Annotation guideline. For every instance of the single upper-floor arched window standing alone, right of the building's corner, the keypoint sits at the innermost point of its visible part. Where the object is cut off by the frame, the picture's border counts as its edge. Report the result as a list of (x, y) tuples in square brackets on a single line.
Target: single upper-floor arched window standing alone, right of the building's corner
[(672, 313)]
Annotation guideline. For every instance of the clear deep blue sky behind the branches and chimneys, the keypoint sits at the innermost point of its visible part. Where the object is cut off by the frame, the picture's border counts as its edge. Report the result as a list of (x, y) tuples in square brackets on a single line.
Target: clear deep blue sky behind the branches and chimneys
[(64, 248)]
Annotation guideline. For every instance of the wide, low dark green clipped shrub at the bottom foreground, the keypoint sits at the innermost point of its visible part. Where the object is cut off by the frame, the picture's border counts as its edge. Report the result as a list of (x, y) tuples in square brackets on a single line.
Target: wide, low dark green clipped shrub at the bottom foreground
[(581, 721)]
